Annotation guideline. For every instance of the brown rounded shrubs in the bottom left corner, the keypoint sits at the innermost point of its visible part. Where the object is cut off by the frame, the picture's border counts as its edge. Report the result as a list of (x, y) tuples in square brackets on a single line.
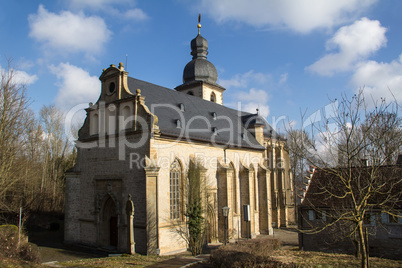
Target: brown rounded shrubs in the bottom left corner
[(9, 244)]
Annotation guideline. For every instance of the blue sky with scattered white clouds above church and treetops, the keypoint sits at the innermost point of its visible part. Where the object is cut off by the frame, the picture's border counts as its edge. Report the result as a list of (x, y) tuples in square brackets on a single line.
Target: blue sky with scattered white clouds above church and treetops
[(282, 57)]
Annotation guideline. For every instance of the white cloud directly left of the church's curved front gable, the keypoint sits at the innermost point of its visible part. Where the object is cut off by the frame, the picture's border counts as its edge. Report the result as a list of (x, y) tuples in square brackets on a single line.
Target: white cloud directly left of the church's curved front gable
[(76, 86)]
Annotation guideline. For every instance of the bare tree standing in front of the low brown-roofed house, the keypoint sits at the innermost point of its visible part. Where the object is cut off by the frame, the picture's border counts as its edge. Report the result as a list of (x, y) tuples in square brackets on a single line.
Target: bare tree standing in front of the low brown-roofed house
[(352, 178)]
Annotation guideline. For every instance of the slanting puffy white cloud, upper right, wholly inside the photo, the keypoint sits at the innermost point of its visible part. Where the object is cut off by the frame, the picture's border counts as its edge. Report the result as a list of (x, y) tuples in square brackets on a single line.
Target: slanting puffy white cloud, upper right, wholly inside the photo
[(355, 43)]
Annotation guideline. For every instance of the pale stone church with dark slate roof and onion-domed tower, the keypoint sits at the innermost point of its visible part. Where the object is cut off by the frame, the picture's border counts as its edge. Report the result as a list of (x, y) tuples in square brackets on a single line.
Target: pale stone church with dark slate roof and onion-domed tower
[(126, 190)]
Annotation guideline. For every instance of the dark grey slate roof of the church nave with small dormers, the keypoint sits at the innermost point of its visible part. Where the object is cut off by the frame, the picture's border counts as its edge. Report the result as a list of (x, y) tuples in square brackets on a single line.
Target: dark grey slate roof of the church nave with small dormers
[(197, 119)]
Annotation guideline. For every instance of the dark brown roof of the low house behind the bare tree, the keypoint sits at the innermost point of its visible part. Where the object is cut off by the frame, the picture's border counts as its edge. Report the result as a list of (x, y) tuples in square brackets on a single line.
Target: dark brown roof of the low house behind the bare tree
[(386, 180)]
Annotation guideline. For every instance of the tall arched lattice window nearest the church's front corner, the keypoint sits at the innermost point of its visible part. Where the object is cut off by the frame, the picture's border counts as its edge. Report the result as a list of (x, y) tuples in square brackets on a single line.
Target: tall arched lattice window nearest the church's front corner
[(175, 175)]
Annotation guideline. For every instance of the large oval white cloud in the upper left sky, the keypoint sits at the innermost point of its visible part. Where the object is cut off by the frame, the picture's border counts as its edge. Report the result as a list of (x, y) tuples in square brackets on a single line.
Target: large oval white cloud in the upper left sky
[(68, 32)]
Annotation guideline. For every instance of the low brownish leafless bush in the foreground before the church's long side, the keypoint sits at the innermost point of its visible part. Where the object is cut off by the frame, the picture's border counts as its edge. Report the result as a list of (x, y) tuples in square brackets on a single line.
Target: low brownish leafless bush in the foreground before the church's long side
[(252, 253)]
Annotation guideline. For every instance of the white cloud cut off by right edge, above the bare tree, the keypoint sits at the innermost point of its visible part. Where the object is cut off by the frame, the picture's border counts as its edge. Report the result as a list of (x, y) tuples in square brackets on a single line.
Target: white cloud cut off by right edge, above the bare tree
[(379, 79)]
